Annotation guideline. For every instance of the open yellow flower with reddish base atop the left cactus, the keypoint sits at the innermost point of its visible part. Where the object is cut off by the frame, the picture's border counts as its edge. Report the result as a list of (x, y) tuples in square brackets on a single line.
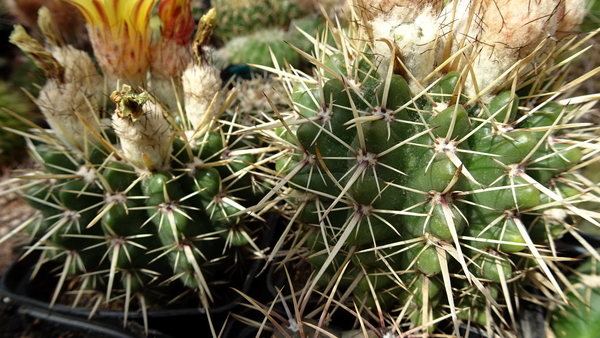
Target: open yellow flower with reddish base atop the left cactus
[(121, 36)]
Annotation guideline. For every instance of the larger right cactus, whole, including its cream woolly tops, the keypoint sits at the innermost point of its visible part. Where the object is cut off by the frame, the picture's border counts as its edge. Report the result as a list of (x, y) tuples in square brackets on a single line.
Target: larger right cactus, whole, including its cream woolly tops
[(432, 158)]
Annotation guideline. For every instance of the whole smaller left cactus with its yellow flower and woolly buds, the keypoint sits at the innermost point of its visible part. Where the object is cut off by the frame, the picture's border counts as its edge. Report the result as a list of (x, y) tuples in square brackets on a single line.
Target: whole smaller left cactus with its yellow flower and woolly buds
[(138, 194)]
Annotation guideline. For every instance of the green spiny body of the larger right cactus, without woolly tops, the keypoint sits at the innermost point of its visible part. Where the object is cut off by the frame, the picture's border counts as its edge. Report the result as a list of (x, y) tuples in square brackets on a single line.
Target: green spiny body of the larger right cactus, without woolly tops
[(443, 189)]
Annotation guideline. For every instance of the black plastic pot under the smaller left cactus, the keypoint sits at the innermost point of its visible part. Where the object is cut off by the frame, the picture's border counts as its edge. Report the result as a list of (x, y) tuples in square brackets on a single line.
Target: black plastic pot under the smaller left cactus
[(32, 296)]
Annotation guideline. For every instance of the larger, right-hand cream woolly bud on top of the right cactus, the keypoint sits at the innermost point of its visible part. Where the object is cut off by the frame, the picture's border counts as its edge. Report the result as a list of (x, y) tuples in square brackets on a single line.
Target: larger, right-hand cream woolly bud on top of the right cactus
[(498, 35)]
